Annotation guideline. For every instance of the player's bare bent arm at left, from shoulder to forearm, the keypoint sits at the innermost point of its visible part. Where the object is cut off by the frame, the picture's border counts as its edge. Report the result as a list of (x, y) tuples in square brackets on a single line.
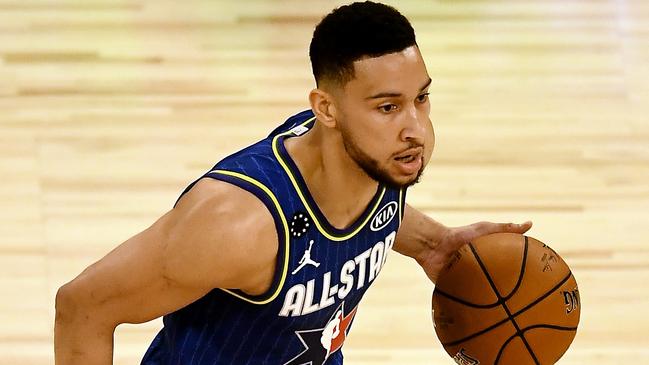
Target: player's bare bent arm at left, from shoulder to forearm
[(218, 236)]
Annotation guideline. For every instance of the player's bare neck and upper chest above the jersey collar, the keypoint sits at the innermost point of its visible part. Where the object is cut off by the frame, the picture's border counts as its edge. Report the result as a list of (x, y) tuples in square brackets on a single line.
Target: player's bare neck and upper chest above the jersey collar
[(338, 185)]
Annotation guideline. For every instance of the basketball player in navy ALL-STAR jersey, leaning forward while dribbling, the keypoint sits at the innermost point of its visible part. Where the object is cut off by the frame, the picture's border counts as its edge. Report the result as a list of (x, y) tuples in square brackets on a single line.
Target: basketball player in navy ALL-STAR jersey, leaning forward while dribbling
[(232, 266)]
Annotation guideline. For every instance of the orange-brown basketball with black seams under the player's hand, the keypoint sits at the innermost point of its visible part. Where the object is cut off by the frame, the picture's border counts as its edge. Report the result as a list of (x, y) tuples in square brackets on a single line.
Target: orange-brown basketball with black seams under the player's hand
[(506, 299)]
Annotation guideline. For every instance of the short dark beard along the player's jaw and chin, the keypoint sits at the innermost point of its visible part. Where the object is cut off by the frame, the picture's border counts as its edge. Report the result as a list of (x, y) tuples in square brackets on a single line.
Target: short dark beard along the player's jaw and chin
[(372, 167)]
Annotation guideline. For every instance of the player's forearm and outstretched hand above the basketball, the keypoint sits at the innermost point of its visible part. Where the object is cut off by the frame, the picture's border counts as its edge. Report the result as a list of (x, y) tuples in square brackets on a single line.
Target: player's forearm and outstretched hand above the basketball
[(431, 243)]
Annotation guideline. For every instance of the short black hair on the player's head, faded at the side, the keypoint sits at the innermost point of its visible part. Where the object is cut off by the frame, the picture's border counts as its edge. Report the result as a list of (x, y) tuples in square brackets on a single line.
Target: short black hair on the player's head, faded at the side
[(352, 32)]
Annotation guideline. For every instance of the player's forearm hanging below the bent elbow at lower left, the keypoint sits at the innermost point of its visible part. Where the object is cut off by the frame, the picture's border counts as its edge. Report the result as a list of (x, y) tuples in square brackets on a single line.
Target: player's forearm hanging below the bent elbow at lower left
[(78, 337)]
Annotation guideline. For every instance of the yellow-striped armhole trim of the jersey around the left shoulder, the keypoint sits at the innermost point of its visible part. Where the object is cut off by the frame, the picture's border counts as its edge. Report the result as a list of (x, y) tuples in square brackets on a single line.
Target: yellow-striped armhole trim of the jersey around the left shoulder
[(267, 197)]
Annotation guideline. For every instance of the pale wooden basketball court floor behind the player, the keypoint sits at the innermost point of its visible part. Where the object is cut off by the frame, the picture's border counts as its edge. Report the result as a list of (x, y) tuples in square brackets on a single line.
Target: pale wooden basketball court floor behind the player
[(109, 108)]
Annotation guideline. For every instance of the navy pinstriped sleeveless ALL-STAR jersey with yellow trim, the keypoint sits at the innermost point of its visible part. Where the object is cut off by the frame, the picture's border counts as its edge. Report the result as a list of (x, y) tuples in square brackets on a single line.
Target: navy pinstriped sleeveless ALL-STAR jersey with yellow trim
[(321, 273)]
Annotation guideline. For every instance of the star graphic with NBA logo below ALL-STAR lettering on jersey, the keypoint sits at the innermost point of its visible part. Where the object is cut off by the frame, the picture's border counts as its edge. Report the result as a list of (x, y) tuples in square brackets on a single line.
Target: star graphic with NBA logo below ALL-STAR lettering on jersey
[(320, 343)]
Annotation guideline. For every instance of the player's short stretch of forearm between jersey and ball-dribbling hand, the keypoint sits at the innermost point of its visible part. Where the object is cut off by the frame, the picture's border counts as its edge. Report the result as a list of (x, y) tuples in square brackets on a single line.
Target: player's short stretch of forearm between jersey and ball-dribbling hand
[(418, 233)]
